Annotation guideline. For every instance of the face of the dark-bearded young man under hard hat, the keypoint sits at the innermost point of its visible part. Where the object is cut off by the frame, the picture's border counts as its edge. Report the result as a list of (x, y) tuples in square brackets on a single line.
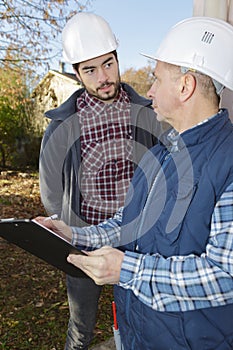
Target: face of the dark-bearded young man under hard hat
[(100, 76)]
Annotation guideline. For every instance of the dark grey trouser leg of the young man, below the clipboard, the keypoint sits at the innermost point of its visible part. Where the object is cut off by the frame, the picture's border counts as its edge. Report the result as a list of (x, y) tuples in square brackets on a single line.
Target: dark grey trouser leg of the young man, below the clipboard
[(83, 297)]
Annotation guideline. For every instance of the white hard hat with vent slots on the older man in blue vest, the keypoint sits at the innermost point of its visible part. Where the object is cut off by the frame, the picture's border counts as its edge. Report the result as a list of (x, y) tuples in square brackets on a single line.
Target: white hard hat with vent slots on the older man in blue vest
[(200, 43)]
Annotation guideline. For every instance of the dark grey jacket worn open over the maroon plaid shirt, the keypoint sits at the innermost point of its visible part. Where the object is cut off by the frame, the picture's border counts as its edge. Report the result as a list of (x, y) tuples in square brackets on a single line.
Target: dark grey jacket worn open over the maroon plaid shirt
[(60, 156)]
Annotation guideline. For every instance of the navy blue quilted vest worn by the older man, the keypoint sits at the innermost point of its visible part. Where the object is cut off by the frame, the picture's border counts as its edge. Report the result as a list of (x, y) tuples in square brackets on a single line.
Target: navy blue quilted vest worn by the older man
[(178, 204)]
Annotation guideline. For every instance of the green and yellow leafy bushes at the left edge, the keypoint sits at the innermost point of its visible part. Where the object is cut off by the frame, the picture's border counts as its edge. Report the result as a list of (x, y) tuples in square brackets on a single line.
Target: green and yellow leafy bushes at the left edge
[(17, 136)]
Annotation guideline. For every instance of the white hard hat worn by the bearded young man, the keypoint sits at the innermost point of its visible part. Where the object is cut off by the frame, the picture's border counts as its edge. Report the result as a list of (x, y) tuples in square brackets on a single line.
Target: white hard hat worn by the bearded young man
[(87, 36)]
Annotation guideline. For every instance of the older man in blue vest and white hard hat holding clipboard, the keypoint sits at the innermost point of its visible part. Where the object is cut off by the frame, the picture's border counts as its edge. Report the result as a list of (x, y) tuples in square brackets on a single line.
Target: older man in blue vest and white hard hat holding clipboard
[(174, 272)]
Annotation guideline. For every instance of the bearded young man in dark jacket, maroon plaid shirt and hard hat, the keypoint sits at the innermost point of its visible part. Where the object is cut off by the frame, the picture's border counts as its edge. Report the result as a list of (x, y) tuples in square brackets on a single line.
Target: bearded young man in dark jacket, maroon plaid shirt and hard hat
[(90, 149)]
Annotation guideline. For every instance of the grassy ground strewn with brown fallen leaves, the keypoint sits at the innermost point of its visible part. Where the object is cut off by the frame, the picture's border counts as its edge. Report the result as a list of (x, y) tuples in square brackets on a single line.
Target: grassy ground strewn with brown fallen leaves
[(33, 302)]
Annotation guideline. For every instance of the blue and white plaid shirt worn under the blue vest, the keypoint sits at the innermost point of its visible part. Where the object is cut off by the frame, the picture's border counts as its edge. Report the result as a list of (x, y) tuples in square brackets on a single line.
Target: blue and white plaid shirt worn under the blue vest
[(178, 283)]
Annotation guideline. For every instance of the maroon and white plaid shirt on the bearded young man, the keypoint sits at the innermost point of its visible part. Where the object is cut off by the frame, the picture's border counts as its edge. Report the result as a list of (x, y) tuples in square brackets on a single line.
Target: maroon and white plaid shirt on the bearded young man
[(106, 154)]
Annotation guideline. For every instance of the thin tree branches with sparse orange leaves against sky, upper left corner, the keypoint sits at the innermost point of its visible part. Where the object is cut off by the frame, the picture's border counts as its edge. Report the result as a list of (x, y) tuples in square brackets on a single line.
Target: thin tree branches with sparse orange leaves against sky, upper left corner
[(30, 30)]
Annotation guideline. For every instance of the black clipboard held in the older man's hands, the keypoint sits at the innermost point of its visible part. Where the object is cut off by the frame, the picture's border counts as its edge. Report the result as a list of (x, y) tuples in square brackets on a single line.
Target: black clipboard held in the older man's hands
[(41, 242)]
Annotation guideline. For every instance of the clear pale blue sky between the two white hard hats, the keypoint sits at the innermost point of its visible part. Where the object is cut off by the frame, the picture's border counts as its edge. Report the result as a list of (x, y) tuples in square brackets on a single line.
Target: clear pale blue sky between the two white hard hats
[(140, 25)]
